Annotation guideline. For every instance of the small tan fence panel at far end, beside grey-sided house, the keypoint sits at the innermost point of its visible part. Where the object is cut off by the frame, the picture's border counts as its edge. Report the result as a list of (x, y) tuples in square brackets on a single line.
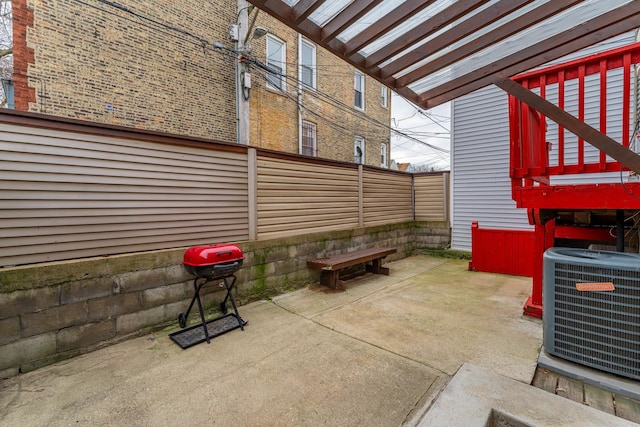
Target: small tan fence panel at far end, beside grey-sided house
[(432, 197)]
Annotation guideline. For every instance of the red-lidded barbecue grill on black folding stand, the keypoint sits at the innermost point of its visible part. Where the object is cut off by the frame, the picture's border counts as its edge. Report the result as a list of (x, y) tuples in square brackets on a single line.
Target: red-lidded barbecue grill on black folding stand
[(210, 263)]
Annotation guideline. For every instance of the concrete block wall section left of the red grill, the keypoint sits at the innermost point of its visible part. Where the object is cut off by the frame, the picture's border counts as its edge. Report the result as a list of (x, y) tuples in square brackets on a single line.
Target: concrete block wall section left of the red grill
[(53, 311)]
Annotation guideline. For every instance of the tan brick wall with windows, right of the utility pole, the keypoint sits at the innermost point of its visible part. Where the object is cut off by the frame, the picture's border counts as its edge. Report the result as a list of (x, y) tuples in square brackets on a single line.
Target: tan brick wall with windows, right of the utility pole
[(274, 115)]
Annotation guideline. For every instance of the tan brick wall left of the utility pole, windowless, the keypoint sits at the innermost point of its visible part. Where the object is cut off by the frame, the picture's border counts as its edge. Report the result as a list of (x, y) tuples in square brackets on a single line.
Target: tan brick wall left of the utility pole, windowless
[(95, 62)]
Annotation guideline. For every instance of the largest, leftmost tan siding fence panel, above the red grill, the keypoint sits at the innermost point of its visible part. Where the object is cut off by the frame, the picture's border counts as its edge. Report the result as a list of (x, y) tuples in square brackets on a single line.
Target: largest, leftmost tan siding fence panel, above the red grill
[(67, 195)]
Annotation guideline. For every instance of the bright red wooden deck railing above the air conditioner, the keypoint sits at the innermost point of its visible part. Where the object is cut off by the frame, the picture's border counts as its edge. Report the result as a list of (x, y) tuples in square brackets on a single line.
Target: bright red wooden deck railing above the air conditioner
[(597, 90)]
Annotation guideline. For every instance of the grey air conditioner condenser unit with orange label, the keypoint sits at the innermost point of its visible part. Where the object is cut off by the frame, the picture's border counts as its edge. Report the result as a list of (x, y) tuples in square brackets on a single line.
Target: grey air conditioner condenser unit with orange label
[(591, 309)]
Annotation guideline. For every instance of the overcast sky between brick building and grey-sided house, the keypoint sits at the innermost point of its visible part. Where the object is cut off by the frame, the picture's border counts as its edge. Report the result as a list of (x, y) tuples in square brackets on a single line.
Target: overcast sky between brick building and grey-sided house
[(425, 127)]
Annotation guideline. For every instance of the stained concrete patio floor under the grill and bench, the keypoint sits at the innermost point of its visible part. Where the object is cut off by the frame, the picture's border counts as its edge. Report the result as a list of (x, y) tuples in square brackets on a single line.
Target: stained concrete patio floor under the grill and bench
[(378, 353)]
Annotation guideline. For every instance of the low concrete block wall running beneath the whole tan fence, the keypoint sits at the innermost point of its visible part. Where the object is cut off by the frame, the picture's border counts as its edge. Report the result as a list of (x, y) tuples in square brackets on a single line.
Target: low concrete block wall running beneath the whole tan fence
[(53, 311)]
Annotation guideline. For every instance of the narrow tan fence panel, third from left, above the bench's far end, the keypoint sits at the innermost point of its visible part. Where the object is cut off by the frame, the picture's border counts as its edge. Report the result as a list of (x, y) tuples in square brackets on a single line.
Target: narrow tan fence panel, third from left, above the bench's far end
[(387, 197)]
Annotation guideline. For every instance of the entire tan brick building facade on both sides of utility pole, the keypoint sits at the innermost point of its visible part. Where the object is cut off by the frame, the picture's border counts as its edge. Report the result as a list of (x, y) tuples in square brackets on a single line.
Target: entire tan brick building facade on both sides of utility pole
[(152, 65)]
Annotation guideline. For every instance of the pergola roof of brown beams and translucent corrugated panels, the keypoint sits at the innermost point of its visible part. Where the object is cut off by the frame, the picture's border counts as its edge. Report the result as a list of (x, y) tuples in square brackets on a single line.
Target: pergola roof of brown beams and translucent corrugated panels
[(487, 40)]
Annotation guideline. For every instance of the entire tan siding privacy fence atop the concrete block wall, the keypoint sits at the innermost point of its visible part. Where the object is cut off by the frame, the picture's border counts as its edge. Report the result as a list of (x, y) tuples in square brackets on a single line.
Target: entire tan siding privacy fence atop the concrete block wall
[(73, 190)]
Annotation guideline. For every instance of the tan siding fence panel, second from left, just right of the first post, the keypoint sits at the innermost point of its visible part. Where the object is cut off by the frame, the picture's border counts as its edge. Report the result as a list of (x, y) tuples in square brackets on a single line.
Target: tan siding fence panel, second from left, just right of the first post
[(299, 197)]
